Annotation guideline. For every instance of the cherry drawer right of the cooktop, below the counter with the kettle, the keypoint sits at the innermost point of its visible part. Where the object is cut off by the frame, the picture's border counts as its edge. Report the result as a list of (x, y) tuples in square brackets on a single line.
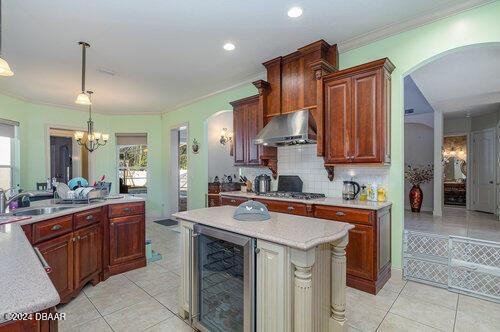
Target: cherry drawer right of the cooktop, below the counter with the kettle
[(344, 214)]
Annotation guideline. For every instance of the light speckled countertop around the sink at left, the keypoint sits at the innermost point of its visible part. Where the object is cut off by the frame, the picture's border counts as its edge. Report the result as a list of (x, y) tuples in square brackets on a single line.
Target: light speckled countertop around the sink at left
[(25, 286)]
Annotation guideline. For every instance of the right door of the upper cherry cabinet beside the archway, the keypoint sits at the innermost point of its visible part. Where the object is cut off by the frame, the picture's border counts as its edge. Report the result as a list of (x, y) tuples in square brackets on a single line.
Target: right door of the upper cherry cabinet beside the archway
[(366, 118)]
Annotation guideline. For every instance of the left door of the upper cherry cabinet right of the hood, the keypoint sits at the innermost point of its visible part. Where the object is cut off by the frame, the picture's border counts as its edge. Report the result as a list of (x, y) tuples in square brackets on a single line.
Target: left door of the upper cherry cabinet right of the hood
[(337, 121)]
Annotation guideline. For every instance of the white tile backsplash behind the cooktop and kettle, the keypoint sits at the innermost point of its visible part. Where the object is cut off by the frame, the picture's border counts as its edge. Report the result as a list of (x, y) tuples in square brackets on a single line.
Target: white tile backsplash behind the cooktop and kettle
[(302, 160)]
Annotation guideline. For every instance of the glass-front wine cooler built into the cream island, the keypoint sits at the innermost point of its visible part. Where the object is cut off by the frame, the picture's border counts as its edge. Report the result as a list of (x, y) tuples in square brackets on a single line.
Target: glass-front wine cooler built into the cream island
[(223, 281)]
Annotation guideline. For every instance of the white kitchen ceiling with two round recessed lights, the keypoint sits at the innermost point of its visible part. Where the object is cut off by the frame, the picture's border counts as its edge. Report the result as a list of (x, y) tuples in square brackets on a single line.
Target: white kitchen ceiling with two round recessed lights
[(169, 53)]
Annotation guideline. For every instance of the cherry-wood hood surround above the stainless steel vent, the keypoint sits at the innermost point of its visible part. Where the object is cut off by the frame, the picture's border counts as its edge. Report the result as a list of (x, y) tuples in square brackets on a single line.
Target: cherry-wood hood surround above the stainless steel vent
[(293, 82)]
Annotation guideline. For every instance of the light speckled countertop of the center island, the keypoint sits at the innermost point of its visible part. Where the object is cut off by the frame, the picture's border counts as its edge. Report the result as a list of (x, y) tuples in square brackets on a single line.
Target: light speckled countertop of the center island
[(286, 229)]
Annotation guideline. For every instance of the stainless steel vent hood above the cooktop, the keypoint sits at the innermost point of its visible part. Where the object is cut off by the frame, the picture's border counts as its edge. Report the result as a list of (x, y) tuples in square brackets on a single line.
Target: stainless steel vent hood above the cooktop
[(287, 129)]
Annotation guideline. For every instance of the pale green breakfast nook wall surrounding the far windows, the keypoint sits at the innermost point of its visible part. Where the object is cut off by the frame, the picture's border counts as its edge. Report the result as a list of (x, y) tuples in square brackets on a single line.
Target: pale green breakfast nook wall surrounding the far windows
[(34, 120)]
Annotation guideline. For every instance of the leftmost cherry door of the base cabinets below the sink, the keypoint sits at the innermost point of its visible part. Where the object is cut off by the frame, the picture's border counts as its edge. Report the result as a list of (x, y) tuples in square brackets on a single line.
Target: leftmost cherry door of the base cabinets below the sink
[(58, 253)]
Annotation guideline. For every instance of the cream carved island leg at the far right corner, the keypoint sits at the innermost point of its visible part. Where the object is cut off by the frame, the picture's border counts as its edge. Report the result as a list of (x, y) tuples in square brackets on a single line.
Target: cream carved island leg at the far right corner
[(338, 321)]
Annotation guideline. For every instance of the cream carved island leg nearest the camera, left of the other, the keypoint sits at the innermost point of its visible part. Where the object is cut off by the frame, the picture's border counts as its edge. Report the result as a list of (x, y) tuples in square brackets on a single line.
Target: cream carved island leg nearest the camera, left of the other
[(302, 302)]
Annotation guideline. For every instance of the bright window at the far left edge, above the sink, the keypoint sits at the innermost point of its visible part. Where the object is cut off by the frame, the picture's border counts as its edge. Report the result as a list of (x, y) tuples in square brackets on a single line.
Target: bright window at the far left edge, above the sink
[(7, 153)]
